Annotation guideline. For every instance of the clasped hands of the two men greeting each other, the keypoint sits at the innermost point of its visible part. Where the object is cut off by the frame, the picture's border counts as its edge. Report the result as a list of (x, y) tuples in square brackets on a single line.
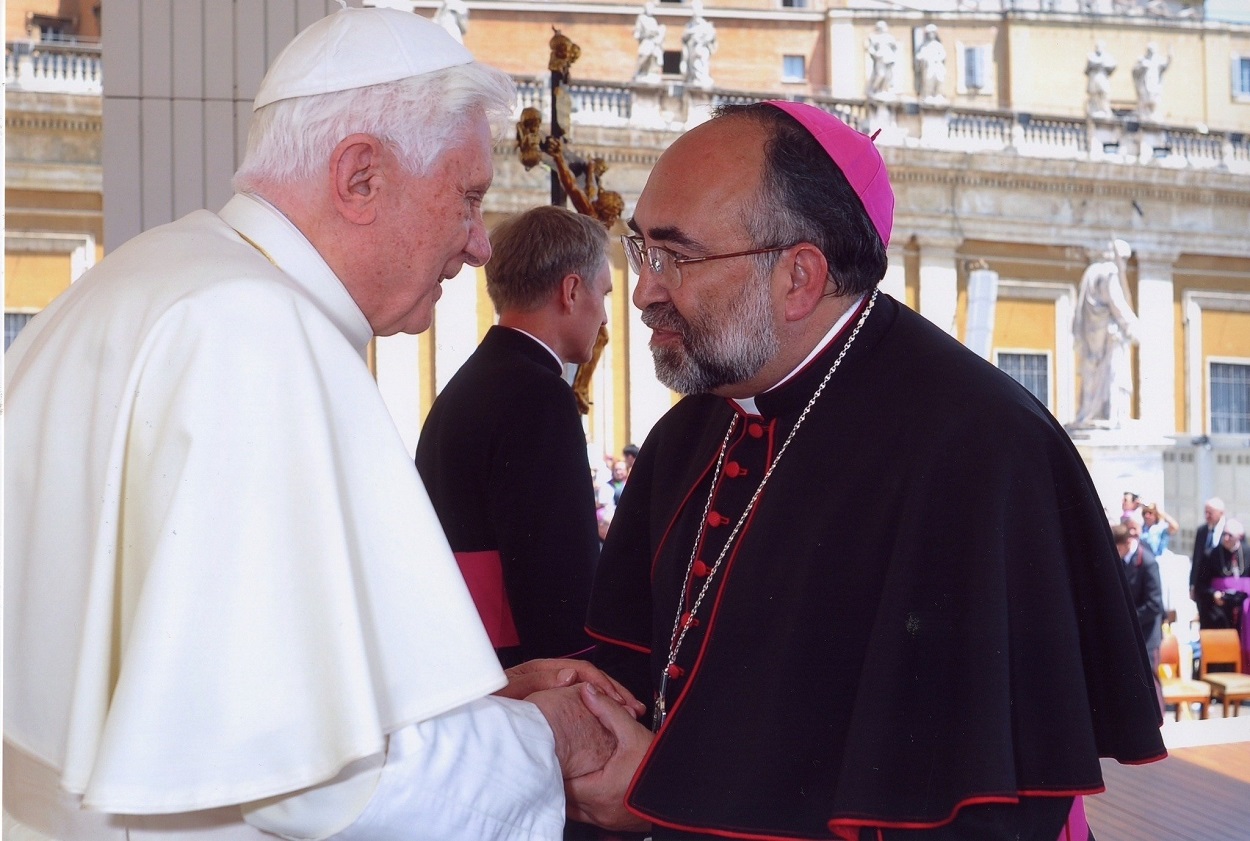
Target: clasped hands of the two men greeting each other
[(598, 739)]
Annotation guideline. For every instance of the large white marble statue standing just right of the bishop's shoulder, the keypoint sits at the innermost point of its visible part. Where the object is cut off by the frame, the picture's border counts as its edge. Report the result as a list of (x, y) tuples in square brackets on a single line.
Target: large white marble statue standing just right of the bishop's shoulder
[(1106, 329)]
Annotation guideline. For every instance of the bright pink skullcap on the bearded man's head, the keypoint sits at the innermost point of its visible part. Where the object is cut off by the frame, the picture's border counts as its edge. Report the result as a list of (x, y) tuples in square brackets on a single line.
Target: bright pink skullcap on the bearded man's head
[(856, 156)]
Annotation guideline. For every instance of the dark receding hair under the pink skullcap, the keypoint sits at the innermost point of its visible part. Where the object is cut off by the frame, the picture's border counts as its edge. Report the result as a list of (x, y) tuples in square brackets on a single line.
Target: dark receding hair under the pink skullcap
[(807, 199)]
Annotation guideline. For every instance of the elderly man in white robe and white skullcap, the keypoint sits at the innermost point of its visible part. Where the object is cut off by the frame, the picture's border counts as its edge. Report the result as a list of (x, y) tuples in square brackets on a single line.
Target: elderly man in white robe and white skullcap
[(229, 609)]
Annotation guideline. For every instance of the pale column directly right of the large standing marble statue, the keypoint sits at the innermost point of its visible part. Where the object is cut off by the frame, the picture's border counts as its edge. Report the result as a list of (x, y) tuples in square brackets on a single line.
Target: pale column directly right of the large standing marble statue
[(1157, 353)]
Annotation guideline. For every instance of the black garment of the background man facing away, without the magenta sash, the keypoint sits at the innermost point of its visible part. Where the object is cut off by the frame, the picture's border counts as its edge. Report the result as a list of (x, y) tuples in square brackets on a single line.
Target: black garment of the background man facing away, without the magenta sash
[(503, 455)]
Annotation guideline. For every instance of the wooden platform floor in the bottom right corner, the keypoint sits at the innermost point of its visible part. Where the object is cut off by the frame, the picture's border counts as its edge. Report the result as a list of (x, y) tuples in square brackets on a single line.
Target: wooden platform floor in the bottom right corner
[(1201, 793)]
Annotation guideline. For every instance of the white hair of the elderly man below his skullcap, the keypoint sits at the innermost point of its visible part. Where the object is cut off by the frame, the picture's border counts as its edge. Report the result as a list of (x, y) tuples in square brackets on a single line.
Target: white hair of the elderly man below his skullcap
[(419, 118)]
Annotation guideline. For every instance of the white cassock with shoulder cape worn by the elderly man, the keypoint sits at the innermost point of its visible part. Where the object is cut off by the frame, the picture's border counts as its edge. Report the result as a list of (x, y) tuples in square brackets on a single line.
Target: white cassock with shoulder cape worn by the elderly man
[(224, 580)]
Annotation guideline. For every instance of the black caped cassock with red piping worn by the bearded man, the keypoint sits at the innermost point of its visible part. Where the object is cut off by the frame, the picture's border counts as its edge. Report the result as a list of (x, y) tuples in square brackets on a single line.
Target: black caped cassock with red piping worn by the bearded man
[(892, 643)]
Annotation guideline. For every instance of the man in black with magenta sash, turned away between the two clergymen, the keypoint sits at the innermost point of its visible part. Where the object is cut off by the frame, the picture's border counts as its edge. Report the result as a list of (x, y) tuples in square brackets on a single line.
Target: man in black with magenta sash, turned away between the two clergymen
[(503, 452)]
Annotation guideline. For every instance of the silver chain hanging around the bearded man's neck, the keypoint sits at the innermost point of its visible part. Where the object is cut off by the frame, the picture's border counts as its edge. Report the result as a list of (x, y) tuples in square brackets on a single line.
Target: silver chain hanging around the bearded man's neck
[(679, 628)]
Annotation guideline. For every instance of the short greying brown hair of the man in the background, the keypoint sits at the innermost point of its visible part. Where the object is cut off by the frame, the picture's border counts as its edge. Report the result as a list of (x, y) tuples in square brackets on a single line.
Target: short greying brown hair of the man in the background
[(536, 251)]
